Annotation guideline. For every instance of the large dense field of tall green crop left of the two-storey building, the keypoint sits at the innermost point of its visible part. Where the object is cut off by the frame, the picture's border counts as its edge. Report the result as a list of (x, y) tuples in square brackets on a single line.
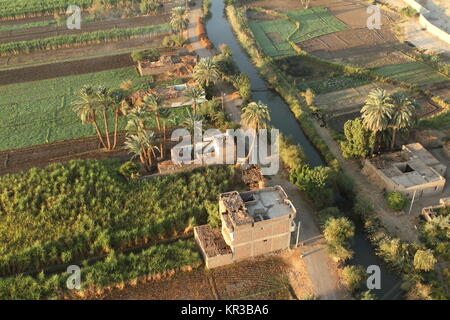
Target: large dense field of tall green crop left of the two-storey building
[(71, 211)]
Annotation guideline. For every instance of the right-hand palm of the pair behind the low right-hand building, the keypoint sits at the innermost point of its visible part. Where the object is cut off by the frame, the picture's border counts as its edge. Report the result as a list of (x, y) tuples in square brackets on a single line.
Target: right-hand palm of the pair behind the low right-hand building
[(402, 114)]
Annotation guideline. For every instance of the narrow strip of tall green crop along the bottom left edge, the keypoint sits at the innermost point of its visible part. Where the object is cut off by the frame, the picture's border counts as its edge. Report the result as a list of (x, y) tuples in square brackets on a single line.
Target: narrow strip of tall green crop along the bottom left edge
[(116, 269)]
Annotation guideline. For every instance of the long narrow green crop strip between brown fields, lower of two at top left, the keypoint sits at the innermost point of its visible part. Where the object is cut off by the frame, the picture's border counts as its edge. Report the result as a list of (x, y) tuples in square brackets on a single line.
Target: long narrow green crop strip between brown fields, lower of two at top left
[(65, 41)]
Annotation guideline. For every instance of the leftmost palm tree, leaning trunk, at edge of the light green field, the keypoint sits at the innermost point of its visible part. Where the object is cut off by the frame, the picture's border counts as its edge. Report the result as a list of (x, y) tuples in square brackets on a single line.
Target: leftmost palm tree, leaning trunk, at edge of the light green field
[(86, 109)]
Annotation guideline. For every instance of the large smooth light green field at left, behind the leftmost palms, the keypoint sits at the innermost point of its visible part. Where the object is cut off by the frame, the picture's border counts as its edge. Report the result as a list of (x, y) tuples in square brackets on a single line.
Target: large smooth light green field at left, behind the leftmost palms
[(40, 112)]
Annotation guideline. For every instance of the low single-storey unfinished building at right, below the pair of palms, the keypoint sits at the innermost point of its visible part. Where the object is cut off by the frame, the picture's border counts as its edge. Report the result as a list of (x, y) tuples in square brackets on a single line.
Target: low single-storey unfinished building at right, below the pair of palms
[(412, 170)]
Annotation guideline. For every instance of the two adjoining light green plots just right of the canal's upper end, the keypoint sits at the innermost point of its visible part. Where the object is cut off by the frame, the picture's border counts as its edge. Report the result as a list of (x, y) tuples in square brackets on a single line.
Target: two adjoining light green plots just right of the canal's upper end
[(272, 35)]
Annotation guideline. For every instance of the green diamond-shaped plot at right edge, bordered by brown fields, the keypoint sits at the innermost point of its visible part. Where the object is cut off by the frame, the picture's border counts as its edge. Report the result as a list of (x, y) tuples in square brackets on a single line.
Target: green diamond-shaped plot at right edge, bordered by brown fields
[(415, 73)]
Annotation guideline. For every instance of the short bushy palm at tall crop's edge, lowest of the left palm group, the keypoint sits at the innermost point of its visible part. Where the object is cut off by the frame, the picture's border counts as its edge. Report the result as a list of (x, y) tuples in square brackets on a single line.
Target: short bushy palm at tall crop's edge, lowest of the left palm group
[(142, 145)]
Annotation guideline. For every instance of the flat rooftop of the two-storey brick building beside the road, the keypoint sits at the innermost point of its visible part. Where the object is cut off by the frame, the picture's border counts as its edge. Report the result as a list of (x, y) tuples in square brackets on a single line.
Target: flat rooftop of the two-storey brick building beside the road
[(257, 205)]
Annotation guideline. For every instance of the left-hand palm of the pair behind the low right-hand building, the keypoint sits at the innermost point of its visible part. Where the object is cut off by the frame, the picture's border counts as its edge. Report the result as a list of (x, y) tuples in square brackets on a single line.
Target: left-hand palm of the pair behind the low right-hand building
[(377, 112)]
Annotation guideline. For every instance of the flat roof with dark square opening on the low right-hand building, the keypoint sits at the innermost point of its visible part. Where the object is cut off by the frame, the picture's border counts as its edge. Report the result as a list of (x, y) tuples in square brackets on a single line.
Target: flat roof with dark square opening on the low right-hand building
[(412, 166)]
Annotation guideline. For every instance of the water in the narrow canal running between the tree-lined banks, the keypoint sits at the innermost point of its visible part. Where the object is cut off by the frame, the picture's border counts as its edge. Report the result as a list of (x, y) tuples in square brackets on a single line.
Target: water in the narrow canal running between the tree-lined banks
[(220, 32)]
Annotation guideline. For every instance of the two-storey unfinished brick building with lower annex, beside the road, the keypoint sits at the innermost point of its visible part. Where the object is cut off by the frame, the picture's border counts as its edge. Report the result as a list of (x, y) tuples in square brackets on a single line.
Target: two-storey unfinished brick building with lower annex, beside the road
[(253, 223)]
